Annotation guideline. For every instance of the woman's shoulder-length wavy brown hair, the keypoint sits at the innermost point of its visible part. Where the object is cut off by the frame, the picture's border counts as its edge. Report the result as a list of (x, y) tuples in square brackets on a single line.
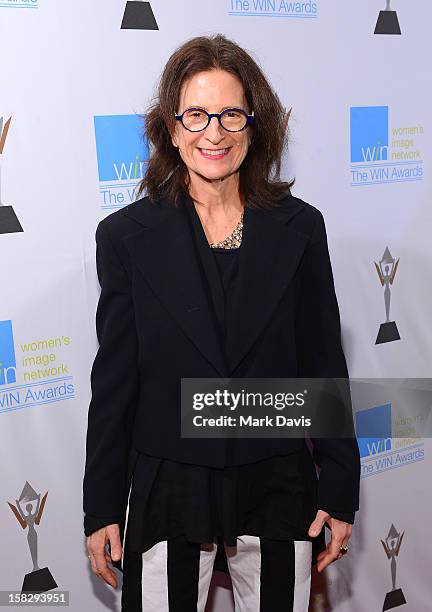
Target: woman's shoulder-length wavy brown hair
[(166, 174)]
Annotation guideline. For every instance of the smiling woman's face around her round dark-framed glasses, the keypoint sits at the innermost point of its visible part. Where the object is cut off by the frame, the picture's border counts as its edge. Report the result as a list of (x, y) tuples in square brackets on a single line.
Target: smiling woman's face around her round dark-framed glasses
[(212, 90)]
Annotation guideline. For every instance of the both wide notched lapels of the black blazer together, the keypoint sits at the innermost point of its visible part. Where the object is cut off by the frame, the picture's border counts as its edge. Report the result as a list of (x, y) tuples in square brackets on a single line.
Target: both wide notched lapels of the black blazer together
[(165, 253)]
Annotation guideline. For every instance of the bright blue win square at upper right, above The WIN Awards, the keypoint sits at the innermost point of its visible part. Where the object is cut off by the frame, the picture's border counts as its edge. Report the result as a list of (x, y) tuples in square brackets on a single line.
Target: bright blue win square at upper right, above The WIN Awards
[(369, 133)]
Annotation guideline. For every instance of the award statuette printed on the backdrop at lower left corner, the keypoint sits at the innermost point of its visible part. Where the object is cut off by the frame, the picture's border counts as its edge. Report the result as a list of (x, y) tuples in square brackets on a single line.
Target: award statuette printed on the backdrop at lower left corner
[(40, 579)]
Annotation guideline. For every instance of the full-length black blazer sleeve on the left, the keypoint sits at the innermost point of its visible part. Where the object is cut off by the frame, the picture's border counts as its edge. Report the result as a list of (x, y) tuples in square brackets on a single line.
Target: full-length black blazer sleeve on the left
[(114, 386)]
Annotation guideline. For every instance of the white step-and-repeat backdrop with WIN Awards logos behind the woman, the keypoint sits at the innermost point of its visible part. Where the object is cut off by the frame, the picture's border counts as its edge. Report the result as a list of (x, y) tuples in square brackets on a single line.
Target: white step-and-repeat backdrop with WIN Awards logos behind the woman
[(75, 80)]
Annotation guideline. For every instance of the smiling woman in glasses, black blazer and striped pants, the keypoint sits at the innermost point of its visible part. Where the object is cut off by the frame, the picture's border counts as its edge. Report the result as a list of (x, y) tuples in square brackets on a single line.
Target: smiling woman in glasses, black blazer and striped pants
[(218, 272)]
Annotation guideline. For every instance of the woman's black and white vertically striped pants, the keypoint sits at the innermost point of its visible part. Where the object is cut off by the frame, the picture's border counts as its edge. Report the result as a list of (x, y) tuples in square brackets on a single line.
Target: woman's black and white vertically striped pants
[(174, 576)]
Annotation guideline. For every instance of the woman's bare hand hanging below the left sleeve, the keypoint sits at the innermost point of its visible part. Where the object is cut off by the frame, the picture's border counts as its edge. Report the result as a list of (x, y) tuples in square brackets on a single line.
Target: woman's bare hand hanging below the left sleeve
[(99, 555)]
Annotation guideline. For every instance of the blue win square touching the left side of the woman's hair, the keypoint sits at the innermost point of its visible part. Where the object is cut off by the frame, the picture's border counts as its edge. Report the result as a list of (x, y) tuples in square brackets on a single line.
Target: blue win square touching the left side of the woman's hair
[(121, 148)]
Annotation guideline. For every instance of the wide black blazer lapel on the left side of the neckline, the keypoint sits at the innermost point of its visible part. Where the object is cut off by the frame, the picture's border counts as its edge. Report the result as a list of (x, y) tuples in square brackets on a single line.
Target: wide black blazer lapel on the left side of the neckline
[(164, 251)]
